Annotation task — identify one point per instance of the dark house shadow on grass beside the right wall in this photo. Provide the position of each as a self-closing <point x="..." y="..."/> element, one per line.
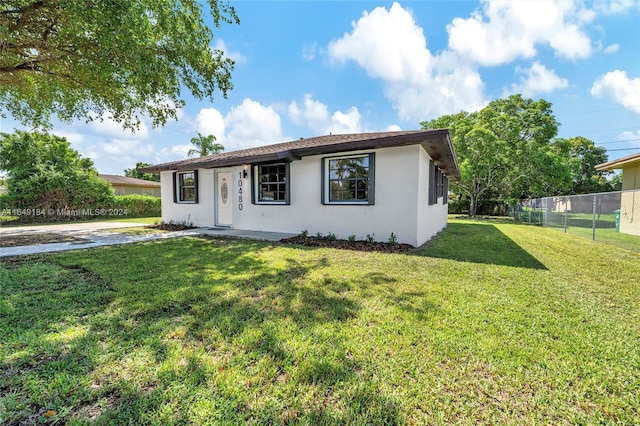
<point x="478" y="243"/>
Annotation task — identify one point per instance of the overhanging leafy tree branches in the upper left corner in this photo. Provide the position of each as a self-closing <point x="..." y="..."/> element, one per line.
<point x="121" y="59"/>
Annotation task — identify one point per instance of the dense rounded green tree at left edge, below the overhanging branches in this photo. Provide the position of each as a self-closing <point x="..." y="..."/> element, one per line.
<point x="45" y="174"/>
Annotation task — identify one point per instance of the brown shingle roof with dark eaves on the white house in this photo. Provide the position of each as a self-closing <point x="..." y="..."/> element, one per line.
<point x="437" y="143"/>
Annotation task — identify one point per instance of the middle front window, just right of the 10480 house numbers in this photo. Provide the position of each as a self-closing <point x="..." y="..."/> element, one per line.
<point x="271" y="183"/>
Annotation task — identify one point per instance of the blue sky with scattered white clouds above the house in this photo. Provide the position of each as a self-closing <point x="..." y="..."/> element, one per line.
<point x="306" y="68"/>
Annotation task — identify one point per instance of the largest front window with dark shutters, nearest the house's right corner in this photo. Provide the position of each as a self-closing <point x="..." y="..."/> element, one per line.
<point x="348" y="179"/>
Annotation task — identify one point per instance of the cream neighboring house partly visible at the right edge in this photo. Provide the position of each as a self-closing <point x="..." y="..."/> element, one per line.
<point x="630" y="200"/>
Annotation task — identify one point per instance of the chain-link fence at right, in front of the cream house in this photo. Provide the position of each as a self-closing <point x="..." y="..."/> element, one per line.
<point x="610" y="217"/>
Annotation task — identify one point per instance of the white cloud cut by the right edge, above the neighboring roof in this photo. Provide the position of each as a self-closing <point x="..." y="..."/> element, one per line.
<point x="617" y="86"/>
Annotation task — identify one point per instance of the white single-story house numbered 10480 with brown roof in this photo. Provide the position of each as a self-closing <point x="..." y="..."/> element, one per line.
<point x="354" y="184"/>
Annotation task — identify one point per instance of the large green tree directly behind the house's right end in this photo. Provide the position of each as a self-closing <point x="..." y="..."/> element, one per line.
<point x="506" y="149"/>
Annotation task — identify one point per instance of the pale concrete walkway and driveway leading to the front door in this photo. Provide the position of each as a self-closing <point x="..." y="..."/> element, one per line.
<point x="98" y="234"/>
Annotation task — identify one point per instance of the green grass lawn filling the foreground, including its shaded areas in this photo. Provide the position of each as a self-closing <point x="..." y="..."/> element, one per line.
<point x="492" y="323"/>
